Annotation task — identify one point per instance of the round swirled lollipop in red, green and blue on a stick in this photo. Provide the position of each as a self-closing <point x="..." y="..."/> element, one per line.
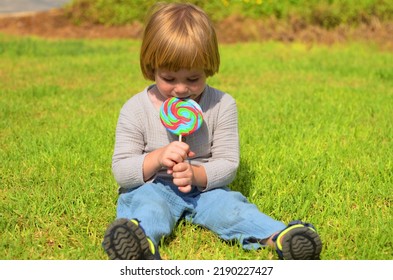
<point x="181" y="116"/>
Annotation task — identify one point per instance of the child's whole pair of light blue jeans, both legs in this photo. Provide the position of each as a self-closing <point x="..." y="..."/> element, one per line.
<point x="159" y="206"/>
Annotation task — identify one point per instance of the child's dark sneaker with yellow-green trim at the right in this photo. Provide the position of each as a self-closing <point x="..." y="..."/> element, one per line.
<point x="298" y="241"/>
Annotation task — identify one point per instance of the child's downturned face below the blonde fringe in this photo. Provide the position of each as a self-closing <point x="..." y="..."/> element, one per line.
<point x="185" y="83"/>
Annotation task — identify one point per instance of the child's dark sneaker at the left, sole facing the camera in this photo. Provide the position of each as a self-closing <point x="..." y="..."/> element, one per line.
<point x="126" y="240"/>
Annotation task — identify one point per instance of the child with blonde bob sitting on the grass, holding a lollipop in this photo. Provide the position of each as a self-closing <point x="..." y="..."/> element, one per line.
<point x="163" y="180"/>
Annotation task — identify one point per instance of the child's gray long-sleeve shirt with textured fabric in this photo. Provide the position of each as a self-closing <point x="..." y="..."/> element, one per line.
<point x="216" y="144"/>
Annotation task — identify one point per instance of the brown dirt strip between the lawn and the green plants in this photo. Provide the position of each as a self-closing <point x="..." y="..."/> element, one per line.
<point x="56" y="24"/>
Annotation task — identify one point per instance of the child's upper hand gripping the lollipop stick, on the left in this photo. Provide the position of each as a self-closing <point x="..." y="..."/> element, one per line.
<point x="174" y="153"/>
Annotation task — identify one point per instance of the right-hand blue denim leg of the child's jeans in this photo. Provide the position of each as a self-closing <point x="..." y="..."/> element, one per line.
<point x="232" y="217"/>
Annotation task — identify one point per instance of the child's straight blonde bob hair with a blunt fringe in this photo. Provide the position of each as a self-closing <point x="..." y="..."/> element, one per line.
<point x="179" y="36"/>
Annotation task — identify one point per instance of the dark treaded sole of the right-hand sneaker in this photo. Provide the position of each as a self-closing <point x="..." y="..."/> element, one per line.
<point x="301" y="243"/>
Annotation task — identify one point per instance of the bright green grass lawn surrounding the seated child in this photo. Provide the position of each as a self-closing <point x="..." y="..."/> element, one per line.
<point x="316" y="143"/>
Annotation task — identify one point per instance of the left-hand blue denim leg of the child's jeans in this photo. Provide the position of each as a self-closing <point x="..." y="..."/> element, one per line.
<point x="154" y="205"/>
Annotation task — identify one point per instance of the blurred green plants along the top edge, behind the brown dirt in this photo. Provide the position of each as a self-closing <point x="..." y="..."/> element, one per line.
<point x="325" y="13"/>
